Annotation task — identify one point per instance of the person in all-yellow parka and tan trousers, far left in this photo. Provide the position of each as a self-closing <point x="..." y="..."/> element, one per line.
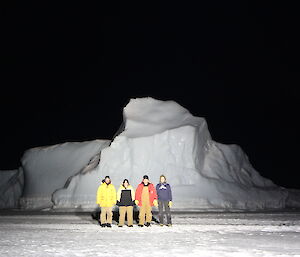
<point x="106" y="199"/>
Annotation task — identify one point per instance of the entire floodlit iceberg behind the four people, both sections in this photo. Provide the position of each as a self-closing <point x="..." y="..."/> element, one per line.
<point x="157" y="137"/>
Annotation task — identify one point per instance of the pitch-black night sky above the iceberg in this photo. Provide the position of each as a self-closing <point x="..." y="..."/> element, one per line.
<point x="67" y="72"/>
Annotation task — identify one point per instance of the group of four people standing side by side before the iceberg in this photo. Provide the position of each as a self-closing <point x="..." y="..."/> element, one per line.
<point x="145" y="196"/>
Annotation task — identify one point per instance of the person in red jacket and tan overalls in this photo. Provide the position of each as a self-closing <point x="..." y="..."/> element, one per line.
<point x="145" y="198"/>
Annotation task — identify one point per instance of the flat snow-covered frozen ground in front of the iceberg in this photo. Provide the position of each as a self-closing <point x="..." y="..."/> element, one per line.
<point x="193" y="234"/>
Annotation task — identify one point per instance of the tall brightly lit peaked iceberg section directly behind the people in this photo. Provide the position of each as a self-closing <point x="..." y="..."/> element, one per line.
<point x="162" y="137"/>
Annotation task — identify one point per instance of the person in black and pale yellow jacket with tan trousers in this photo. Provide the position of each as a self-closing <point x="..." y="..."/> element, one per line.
<point x="125" y="201"/>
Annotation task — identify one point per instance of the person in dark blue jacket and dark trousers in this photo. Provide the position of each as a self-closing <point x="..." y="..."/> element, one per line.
<point x="164" y="194"/>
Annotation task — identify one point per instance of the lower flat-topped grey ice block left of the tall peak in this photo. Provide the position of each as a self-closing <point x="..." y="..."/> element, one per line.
<point x="48" y="169"/>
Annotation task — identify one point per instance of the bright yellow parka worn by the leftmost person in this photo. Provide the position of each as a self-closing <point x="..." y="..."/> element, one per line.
<point x="106" y="195"/>
